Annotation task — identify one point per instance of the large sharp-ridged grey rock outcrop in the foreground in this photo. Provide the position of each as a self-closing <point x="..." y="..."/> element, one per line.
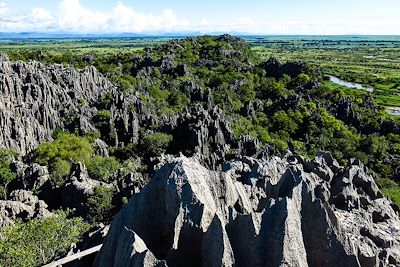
<point x="275" y="212"/>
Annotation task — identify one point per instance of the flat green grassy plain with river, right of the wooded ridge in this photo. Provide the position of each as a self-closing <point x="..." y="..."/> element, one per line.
<point x="373" y="61"/>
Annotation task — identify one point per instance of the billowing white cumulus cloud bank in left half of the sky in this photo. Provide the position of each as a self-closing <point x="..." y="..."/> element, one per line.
<point x="74" y="17"/>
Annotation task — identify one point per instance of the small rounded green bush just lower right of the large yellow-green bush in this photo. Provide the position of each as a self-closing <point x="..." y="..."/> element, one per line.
<point x="101" y="168"/>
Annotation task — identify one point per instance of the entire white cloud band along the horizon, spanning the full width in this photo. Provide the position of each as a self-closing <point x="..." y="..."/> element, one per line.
<point x="72" y="16"/>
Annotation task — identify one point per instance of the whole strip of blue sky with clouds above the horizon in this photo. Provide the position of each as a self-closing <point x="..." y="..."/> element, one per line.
<point x="248" y="16"/>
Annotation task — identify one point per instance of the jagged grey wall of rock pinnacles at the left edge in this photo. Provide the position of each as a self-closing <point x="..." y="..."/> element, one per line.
<point x="35" y="97"/>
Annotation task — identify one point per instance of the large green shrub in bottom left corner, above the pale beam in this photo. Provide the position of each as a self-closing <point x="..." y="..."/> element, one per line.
<point x="38" y="242"/>
